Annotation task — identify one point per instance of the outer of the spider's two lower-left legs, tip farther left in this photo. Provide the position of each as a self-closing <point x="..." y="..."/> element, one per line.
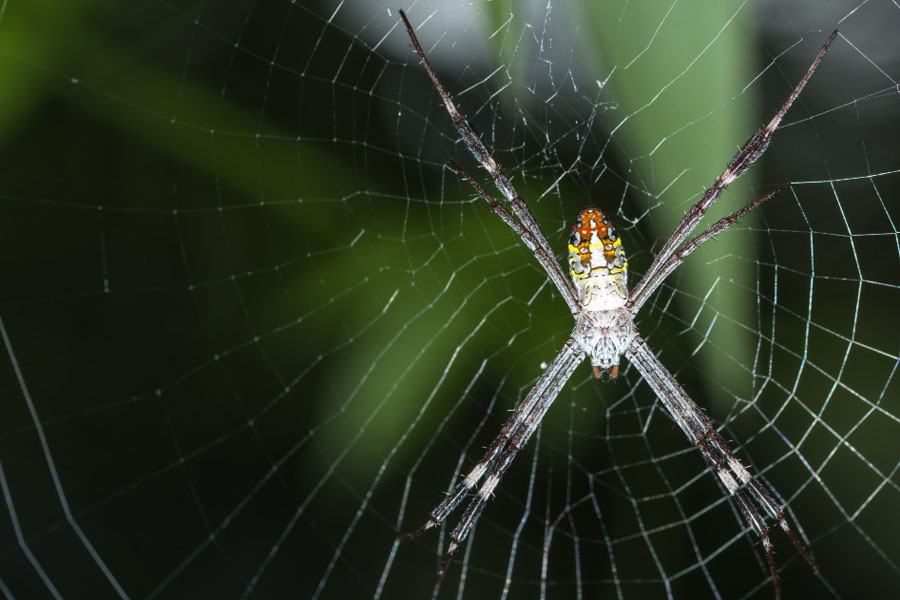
<point x="555" y="374"/>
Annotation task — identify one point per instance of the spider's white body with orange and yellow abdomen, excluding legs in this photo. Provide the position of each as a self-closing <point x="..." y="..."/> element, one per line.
<point x="599" y="270"/>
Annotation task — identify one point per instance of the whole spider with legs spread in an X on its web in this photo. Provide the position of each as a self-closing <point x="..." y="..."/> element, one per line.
<point x="603" y="308"/>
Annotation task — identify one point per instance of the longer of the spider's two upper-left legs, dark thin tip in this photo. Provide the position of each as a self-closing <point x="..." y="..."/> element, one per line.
<point x="481" y="153"/>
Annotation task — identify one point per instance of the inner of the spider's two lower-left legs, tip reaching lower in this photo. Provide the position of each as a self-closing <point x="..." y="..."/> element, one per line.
<point x="571" y="360"/>
